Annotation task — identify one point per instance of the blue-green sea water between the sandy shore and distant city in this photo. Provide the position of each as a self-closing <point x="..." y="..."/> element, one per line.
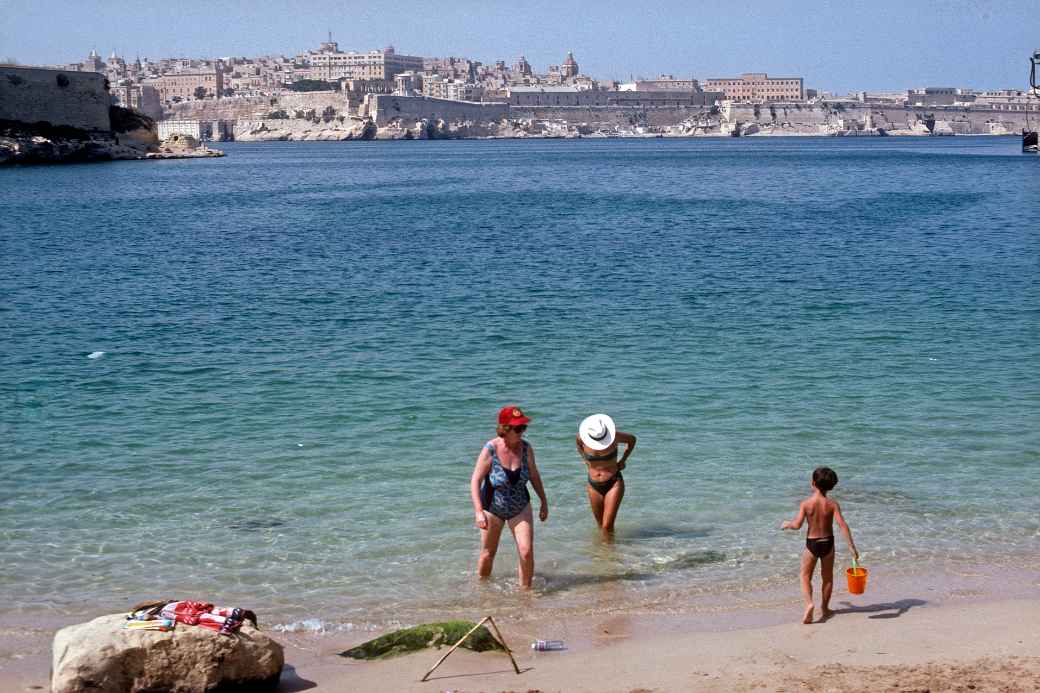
<point x="305" y="346"/>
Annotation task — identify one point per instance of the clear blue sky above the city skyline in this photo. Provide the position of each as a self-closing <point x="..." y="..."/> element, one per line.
<point x="837" y="46"/>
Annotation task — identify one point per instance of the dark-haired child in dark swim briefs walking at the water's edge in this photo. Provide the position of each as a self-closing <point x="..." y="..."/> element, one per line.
<point x="821" y="512"/>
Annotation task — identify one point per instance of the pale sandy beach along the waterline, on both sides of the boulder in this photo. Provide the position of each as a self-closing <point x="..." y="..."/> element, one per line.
<point x="954" y="635"/>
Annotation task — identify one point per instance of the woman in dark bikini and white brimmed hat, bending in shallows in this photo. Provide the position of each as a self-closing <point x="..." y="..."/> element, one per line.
<point x="597" y="443"/>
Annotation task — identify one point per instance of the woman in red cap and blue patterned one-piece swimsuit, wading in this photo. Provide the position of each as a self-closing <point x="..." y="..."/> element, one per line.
<point x="499" y="490"/>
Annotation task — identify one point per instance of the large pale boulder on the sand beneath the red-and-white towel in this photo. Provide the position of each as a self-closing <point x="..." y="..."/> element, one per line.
<point x="102" y="657"/>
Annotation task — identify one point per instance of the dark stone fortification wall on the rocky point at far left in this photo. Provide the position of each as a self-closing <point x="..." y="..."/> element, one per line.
<point x="59" y="97"/>
